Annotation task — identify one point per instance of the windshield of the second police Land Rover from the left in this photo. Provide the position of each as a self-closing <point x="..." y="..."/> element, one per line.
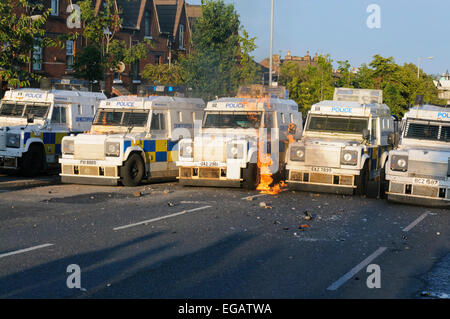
<point x="135" y="118"/>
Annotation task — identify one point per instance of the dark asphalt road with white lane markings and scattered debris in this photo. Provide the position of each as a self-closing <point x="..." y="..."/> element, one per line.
<point x="181" y="242"/>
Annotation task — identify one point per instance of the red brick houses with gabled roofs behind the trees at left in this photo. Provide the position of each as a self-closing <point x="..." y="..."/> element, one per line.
<point x="167" y="23"/>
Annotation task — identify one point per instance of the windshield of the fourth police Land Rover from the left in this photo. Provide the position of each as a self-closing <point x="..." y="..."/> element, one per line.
<point x="337" y="124"/>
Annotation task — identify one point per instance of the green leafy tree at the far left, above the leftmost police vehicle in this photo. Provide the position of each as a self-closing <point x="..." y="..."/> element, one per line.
<point x="22" y="29"/>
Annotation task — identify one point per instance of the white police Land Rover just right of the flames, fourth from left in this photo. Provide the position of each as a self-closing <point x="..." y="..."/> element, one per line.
<point x="344" y="144"/>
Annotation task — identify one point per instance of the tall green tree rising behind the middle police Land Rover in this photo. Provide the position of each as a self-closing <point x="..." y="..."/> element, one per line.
<point x="220" y="61"/>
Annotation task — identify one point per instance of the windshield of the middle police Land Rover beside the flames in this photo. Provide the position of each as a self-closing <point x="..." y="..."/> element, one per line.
<point x="232" y="120"/>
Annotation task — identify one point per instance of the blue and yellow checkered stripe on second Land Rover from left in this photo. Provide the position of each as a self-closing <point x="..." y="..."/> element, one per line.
<point x="156" y="151"/>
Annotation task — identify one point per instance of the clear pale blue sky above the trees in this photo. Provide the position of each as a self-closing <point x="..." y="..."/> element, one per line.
<point x="409" y="29"/>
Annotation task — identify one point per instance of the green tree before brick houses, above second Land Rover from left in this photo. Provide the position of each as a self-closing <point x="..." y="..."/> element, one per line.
<point x="100" y="30"/>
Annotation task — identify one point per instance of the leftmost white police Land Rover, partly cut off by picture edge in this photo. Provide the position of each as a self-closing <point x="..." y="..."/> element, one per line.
<point x="33" y="123"/>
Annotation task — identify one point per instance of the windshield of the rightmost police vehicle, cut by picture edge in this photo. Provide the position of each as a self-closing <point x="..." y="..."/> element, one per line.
<point x="434" y="131"/>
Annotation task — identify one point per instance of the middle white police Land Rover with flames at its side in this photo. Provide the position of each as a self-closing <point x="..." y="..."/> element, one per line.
<point x="225" y="152"/>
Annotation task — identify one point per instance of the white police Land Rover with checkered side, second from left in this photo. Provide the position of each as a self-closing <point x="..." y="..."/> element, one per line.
<point x="132" y="138"/>
